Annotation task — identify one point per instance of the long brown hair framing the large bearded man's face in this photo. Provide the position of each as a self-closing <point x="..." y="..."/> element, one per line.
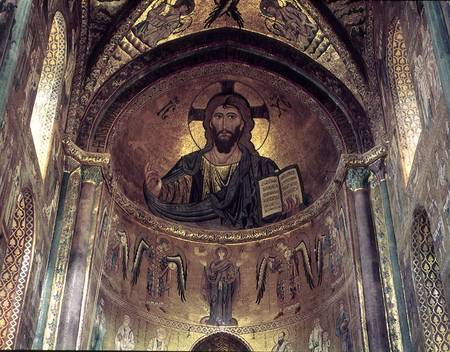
<point x="242" y="105"/>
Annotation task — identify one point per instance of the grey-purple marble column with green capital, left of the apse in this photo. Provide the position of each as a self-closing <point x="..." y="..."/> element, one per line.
<point x="71" y="308"/>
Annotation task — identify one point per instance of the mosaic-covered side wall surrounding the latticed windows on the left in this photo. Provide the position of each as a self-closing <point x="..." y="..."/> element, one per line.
<point x="18" y="157"/>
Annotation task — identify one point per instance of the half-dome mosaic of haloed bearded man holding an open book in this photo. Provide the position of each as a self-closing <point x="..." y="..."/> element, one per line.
<point x="228" y="156"/>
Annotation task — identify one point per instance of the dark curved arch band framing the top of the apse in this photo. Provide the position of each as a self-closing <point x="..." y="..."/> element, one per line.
<point x="218" y="46"/>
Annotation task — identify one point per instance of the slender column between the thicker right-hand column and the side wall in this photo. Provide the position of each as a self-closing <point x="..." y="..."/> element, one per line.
<point x="378" y="168"/>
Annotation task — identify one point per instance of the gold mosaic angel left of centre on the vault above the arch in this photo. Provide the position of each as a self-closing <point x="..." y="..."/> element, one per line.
<point x="165" y="18"/>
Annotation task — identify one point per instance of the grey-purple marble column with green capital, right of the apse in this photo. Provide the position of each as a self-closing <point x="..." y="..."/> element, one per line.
<point x="357" y="182"/>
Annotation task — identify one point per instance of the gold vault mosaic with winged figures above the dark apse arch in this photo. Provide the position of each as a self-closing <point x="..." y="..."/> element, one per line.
<point x="286" y="20"/>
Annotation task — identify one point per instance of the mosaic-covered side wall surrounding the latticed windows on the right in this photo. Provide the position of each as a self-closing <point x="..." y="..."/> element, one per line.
<point x="428" y="184"/>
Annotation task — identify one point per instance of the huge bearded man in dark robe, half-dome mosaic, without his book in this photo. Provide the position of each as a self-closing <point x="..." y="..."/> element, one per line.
<point x="220" y="181"/>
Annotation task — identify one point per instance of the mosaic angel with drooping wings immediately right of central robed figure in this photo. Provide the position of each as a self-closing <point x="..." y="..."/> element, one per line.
<point x="285" y="262"/>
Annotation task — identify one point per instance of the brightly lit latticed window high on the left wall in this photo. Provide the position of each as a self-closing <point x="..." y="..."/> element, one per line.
<point x="49" y="90"/>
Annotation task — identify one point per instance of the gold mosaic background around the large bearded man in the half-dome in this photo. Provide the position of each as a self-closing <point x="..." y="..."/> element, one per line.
<point x="297" y="123"/>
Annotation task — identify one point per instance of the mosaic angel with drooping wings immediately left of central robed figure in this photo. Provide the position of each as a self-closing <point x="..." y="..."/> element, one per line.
<point x="161" y="263"/>
